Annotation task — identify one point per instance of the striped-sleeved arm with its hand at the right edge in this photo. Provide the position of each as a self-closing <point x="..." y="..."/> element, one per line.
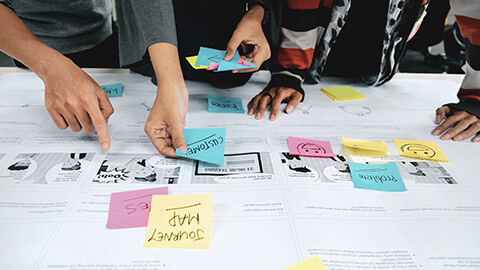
<point x="462" y="120"/>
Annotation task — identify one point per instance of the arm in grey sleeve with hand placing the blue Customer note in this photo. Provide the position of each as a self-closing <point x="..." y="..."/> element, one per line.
<point x="147" y="30"/>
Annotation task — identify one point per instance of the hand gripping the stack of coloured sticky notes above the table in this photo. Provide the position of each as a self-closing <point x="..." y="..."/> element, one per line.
<point x="249" y="34"/>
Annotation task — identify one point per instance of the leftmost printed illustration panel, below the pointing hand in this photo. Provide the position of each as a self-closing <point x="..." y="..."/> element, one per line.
<point x="46" y="168"/>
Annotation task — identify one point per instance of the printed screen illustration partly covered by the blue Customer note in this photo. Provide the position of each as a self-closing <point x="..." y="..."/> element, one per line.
<point x="239" y="168"/>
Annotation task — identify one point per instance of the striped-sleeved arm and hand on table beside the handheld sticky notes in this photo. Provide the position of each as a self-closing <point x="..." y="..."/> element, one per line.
<point x="300" y="31"/>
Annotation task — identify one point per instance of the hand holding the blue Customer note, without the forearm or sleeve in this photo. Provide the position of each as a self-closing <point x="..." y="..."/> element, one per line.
<point x="166" y="121"/>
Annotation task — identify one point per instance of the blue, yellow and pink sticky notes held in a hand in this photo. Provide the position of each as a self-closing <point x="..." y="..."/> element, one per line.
<point x="212" y="59"/>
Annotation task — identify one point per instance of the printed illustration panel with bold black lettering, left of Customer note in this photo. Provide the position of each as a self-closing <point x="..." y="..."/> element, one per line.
<point x="141" y="168"/>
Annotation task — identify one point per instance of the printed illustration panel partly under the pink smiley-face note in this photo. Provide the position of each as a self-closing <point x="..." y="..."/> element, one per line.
<point x="314" y="169"/>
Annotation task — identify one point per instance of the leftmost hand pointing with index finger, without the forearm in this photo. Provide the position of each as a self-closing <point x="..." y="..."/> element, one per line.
<point x="73" y="99"/>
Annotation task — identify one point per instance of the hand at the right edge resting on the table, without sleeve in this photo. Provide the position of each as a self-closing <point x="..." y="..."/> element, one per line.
<point x="462" y="124"/>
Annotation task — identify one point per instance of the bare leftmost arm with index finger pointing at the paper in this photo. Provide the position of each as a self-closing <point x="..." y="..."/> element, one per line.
<point x="73" y="99"/>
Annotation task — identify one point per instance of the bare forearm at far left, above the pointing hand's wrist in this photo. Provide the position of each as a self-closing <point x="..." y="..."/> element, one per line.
<point x="19" y="42"/>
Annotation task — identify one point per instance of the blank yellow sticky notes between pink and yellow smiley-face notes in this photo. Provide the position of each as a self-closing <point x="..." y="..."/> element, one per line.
<point x="364" y="147"/>
